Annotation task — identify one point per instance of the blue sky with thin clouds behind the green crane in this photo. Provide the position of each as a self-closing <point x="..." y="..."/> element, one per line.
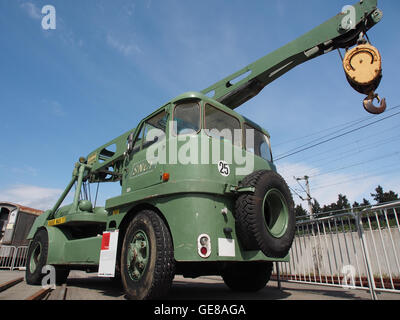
<point x="108" y="64"/>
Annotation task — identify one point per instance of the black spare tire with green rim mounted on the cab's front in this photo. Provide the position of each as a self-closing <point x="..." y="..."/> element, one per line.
<point x="265" y="220"/>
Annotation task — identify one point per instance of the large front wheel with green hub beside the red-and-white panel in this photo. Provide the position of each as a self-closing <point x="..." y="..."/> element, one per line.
<point x="147" y="258"/>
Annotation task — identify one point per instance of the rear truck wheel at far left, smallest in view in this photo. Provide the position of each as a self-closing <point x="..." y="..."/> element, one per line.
<point x="36" y="258"/>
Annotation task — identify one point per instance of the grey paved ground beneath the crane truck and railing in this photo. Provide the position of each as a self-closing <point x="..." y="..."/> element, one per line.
<point x="83" y="286"/>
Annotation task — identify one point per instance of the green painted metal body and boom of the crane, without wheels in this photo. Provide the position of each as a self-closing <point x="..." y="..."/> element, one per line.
<point x="196" y="199"/>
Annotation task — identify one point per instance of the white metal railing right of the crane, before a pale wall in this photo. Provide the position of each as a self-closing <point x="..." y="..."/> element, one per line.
<point x="359" y="249"/>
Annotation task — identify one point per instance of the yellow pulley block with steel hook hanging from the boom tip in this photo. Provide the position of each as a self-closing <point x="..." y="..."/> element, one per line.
<point x="363" y="69"/>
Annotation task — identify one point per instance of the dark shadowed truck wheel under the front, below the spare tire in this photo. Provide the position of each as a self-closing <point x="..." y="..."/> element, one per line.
<point x="247" y="277"/>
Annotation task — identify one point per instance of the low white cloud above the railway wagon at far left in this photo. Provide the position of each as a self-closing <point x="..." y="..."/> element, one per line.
<point x="31" y="196"/>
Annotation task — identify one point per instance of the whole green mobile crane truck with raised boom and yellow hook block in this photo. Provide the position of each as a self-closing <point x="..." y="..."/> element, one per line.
<point x="200" y="192"/>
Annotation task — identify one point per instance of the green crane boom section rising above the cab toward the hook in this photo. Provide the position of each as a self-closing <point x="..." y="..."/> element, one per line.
<point x="245" y="84"/>
